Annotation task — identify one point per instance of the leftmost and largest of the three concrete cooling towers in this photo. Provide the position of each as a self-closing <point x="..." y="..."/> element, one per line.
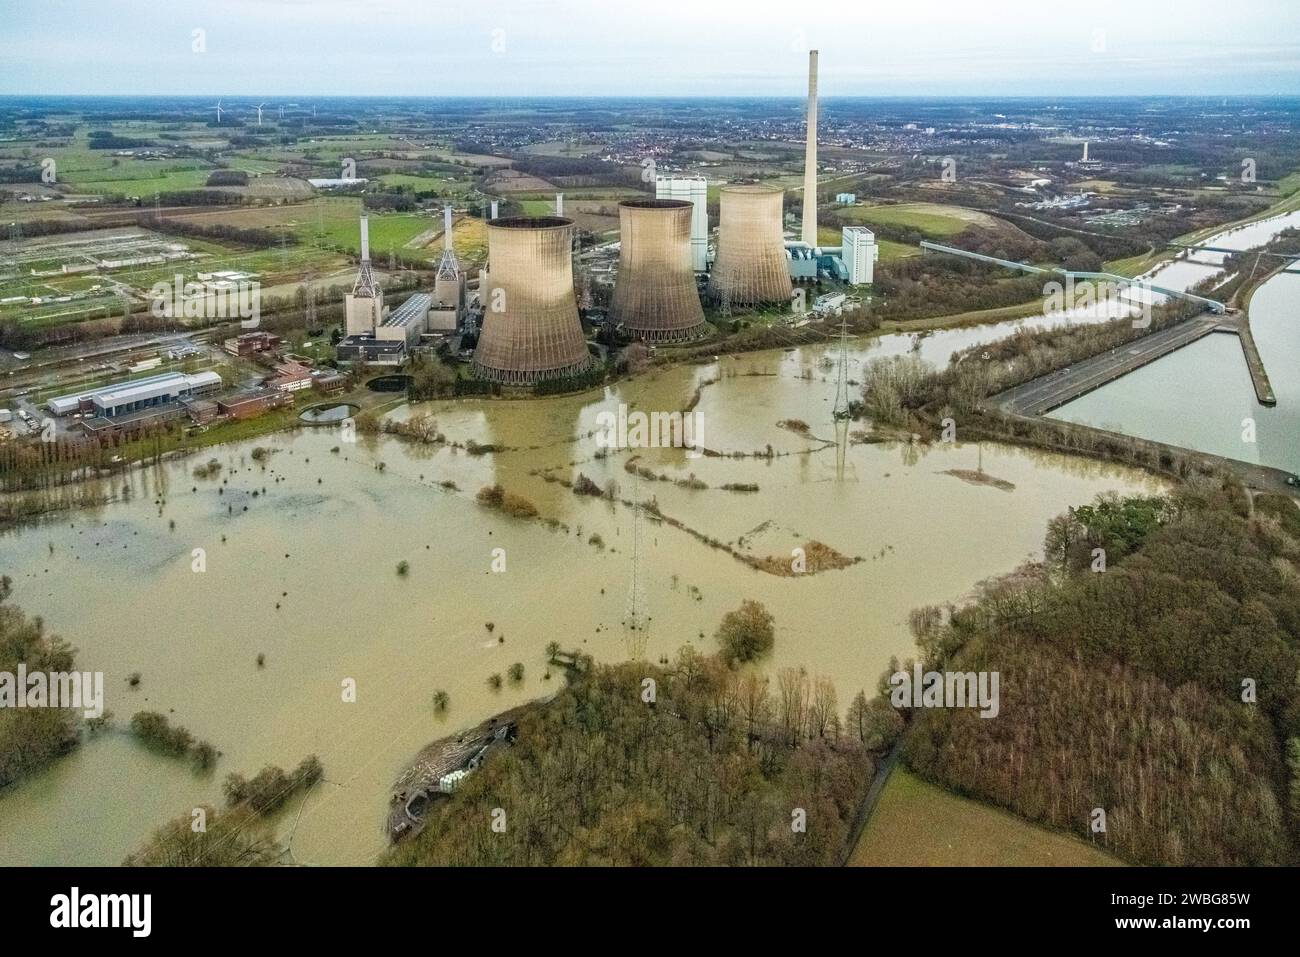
<point x="531" y="330"/>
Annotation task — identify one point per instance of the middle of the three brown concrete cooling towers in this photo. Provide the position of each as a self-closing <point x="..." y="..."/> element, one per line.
<point x="656" y="297"/>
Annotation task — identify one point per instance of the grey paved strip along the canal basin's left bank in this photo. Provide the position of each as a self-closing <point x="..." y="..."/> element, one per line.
<point x="1056" y="389"/>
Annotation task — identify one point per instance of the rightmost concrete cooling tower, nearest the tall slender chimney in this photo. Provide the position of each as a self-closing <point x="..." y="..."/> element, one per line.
<point x="752" y="266"/>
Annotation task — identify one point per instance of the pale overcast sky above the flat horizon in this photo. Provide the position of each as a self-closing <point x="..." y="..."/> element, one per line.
<point x="648" y="47"/>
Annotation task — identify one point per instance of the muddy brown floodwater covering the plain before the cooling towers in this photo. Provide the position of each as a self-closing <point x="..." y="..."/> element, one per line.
<point x="324" y="542"/>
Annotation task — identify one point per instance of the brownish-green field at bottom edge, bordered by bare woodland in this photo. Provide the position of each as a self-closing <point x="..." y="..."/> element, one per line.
<point x="920" y="825"/>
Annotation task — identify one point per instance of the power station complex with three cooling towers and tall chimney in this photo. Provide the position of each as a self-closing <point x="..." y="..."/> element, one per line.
<point x="531" y="330"/>
